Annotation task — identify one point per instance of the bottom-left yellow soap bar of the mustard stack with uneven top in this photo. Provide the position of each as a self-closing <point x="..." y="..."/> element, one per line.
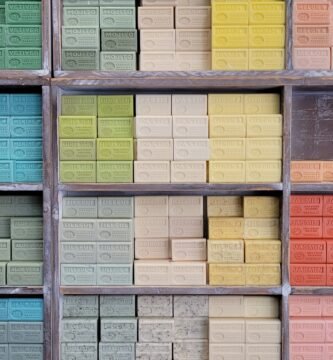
<point x="226" y="274"/>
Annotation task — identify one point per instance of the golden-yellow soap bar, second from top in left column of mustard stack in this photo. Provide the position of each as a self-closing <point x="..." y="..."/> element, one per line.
<point x="225" y="228"/>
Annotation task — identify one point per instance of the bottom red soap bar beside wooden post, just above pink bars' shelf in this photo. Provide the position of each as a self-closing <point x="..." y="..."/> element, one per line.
<point x="308" y="274"/>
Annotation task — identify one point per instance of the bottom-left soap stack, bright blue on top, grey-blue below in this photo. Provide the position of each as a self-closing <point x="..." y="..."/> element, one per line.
<point x="21" y="328"/>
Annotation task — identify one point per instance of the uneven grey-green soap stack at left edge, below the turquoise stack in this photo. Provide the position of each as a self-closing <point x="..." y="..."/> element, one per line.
<point x="21" y="244"/>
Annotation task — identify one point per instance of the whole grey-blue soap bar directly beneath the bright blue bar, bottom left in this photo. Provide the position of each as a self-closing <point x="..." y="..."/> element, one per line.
<point x="25" y="332"/>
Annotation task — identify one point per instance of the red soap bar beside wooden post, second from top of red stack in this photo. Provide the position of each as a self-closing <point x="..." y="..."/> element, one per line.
<point x="306" y="227"/>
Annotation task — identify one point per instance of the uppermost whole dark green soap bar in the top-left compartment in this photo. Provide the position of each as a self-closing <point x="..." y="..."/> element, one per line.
<point x="23" y="12"/>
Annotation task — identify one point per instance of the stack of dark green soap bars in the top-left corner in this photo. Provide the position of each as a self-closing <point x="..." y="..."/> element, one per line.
<point x="20" y="35"/>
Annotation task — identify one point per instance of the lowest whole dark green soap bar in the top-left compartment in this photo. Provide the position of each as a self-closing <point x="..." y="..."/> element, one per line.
<point x="23" y="58"/>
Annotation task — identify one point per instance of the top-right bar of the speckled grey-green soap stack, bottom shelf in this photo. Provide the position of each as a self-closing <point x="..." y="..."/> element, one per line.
<point x="117" y="305"/>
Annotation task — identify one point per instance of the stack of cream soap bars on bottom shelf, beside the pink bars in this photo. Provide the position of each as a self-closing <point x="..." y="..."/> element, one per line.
<point x="244" y="327"/>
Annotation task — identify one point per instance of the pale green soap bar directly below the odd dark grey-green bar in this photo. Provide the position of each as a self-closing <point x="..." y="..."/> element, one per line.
<point x="118" y="61"/>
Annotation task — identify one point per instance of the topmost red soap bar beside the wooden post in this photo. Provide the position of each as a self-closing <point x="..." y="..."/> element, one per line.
<point x="306" y="205"/>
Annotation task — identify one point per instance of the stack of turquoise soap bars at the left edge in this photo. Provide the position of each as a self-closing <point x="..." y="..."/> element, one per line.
<point x="21" y="137"/>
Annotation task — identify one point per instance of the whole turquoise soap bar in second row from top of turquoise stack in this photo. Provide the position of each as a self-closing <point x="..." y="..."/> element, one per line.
<point x="25" y="126"/>
